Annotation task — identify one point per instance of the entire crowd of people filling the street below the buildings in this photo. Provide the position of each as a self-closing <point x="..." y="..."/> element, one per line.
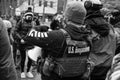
<point x="81" y="43"/>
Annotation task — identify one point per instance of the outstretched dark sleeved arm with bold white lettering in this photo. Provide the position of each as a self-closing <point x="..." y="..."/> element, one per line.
<point x="52" y="39"/>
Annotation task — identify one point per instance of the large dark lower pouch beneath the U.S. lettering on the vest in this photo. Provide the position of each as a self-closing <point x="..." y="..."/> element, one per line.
<point x="71" y="67"/>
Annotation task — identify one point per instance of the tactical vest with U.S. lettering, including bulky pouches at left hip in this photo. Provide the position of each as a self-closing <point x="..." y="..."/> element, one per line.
<point x="74" y="62"/>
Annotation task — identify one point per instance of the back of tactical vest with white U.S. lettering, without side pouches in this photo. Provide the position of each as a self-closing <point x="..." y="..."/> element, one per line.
<point x="74" y="60"/>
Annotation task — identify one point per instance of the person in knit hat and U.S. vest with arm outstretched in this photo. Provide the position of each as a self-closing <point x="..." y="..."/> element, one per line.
<point x="64" y="42"/>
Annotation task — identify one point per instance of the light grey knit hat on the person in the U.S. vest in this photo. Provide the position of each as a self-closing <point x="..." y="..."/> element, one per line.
<point x="75" y="12"/>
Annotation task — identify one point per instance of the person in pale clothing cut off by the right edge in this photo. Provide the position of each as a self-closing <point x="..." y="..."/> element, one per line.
<point x="114" y="71"/>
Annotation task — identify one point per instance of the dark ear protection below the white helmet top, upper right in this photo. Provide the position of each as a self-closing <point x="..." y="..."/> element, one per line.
<point x="90" y="5"/>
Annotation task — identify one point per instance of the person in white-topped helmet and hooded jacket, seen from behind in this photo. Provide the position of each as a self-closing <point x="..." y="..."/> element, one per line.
<point x="104" y="46"/>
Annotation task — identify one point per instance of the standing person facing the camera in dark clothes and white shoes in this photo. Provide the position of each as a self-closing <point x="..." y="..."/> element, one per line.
<point x="21" y="30"/>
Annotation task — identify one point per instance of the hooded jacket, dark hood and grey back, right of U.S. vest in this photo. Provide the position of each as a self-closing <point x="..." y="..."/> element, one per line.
<point x="103" y="49"/>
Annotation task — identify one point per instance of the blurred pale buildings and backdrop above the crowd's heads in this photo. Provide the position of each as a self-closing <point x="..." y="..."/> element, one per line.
<point x="45" y="9"/>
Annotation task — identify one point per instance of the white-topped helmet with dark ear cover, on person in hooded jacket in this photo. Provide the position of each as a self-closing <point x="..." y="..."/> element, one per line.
<point x="93" y="4"/>
